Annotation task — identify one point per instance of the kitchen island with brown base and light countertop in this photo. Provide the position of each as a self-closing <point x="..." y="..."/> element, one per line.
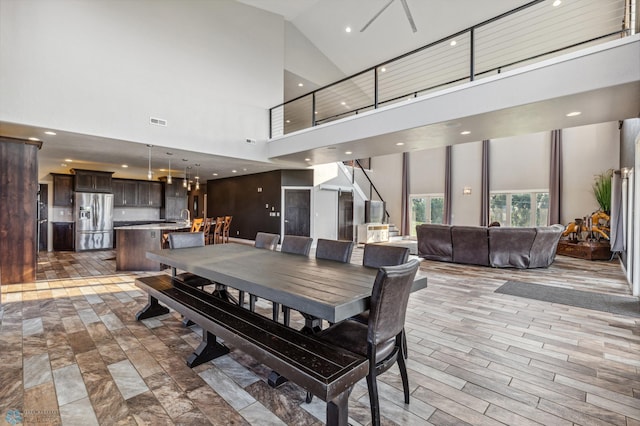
<point x="133" y="242"/>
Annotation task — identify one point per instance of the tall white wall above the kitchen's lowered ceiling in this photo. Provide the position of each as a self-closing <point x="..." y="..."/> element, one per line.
<point x="211" y="69"/>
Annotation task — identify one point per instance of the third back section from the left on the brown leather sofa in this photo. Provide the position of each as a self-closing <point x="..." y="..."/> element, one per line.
<point x="510" y="247"/>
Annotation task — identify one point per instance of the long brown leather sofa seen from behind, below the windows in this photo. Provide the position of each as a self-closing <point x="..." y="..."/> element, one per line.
<point x="498" y="247"/>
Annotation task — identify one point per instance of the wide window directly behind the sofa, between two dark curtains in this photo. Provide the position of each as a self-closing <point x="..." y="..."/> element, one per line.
<point x="519" y="209"/>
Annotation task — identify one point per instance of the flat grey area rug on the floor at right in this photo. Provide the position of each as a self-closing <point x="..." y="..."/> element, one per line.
<point x="621" y="305"/>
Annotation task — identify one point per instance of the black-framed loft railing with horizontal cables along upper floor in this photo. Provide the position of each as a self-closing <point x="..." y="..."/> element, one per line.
<point x="535" y="31"/>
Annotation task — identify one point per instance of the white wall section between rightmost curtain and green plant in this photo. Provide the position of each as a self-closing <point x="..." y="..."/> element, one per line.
<point x="586" y="152"/>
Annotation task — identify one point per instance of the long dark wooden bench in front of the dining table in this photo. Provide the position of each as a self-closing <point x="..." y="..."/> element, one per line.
<point x="324" y="370"/>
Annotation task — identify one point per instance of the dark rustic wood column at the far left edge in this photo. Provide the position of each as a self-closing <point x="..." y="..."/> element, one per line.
<point x="18" y="210"/>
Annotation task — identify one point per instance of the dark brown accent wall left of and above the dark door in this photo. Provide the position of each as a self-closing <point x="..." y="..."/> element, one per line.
<point x="246" y="199"/>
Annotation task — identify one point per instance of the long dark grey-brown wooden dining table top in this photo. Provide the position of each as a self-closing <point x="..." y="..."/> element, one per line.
<point x="320" y="288"/>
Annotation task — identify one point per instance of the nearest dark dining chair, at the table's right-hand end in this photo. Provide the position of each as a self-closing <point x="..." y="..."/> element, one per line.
<point x="380" y="340"/>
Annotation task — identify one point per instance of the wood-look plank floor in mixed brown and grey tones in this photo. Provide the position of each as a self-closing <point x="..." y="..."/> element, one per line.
<point x="72" y="353"/>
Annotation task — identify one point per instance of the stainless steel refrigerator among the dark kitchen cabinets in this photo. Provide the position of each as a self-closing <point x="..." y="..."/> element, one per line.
<point x="93" y="214"/>
